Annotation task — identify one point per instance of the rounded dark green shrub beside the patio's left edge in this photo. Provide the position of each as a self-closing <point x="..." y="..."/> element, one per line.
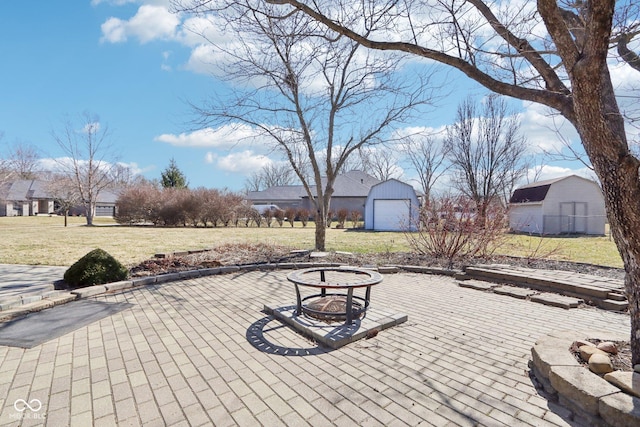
<point x="95" y="268"/>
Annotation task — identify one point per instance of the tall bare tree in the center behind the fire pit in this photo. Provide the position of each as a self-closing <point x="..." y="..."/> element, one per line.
<point x="306" y="87"/>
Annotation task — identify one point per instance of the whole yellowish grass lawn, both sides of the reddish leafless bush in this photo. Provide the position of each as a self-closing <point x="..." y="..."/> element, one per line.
<point x="44" y="240"/>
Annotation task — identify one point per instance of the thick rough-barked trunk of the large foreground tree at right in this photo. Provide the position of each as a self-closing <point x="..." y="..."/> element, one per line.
<point x="601" y="128"/>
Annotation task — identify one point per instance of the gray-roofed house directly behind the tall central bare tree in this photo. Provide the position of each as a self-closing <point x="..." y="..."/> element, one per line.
<point x="350" y="192"/>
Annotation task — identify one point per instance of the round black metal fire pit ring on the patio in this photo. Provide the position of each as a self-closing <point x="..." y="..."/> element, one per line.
<point x="315" y="302"/>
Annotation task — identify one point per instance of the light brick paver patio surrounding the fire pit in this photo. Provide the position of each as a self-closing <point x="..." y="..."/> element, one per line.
<point x="200" y="352"/>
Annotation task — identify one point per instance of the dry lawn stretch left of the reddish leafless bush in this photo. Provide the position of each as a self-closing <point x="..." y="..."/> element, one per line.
<point x="45" y="240"/>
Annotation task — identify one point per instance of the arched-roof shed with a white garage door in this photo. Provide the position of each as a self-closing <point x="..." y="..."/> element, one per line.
<point x="391" y="206"/>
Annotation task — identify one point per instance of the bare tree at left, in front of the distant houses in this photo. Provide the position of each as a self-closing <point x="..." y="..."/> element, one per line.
<point x="88" y="161"/>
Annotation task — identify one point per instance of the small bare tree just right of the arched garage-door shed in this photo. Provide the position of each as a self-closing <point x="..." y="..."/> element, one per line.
<point x="427" y="156"/>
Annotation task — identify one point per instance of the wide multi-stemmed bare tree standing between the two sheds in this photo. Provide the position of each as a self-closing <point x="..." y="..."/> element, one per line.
<point x="486" y="151"/>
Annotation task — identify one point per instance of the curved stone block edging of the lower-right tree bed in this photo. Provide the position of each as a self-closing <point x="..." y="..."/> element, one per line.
<point x="591" y="398"/>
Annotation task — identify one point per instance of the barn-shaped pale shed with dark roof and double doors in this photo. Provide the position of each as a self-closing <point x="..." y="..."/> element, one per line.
<point x="567" y="205"/>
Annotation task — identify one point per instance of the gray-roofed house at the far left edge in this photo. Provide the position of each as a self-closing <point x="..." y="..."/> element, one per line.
<point x="25" y="197"/>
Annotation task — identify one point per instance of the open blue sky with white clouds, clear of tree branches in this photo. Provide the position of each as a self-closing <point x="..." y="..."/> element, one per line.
<point x="134" y="65"/>
